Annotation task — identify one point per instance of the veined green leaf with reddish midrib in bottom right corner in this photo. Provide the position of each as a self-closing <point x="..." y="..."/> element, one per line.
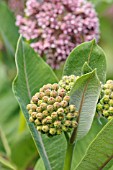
<point x="100" y="151"/>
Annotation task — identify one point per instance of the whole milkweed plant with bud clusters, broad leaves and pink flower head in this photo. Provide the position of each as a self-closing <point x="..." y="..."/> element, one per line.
<point x="63" y="115"/>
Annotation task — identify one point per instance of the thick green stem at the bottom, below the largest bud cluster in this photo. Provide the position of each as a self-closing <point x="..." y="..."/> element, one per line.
<point x="69" y="155"/>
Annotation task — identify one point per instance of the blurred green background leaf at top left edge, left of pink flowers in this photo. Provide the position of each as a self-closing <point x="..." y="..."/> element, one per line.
<point x="8" y="30"/>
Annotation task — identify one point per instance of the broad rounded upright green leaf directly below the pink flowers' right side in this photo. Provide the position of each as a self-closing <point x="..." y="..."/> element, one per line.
<point x="88" y="52"/>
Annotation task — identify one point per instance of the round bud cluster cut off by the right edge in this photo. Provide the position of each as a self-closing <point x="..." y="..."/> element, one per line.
<point x="105" y="103"/>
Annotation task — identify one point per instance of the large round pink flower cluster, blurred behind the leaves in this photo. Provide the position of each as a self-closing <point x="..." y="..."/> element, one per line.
<point x="55" y="27"/>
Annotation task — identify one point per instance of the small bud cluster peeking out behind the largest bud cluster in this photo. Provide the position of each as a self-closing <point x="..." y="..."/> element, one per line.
<point x="67" y="82"/>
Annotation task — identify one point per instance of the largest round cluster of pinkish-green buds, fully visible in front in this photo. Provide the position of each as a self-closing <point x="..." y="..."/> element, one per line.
<point x="50" y="111"/>
